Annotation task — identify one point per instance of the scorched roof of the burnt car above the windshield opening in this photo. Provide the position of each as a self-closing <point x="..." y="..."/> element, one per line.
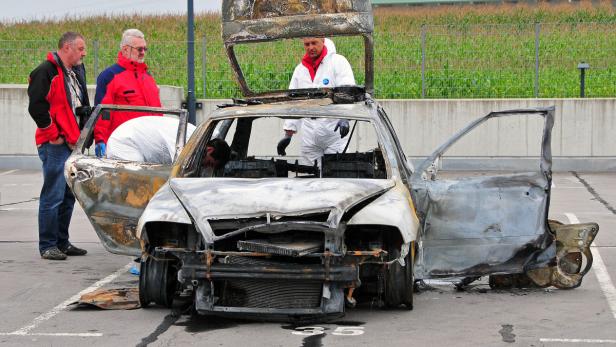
<point x="322" y="107"/>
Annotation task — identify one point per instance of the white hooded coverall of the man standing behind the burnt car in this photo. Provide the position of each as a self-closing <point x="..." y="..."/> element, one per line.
<point x="318" y="135"/>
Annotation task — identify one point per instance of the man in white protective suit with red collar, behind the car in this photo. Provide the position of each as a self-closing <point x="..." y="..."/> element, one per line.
<point x="321" y="67"/>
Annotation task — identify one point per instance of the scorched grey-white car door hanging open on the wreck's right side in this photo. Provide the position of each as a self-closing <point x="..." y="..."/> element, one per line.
<point x="483" y="224"/>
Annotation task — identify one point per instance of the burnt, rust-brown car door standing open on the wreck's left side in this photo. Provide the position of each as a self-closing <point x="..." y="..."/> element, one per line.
<point x="114" y="193"/>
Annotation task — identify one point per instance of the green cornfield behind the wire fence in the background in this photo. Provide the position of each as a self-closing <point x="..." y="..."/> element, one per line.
<point x="470" y="51"/>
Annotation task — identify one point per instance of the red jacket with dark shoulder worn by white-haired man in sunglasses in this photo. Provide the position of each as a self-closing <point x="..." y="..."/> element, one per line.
<point x="125" y="83"/>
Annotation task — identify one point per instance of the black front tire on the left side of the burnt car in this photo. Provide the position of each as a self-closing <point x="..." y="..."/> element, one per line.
<point x="157" y="282"/>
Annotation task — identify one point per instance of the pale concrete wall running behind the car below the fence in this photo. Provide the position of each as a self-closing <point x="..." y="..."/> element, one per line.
<point x="583" y="137"/>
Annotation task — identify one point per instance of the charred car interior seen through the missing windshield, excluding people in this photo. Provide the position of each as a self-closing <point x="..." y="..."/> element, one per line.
<point x="253" y="155"/>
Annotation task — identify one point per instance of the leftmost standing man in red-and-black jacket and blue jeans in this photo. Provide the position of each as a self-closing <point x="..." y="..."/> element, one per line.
<point x="58" y="99"/>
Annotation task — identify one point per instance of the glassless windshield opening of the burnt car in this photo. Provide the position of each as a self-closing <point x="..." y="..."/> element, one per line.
<point x="309" y="147"/>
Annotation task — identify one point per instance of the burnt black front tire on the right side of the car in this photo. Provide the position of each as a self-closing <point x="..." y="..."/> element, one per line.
<point x="399" y="282"/>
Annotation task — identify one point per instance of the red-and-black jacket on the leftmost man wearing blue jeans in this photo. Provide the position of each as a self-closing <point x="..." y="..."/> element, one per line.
<point x="50" y="104"/>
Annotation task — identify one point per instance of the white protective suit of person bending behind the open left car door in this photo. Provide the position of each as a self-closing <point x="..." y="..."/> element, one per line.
<point x="147" y="139"/>
